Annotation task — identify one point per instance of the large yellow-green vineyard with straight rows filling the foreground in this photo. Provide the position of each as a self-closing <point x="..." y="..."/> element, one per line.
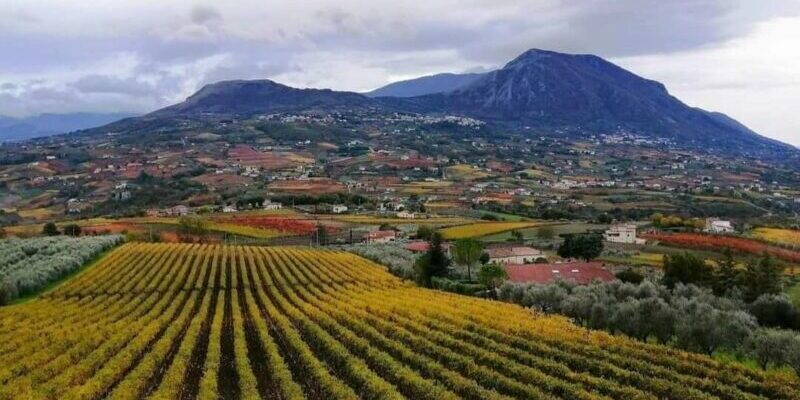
<point x="186" y="321"/>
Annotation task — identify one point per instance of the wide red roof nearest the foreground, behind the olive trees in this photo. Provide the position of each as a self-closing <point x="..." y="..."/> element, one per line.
<point x="581" y="273"/>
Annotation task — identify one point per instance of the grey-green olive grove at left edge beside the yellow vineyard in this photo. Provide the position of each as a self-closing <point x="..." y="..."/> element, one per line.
<point x="28" y="265"/>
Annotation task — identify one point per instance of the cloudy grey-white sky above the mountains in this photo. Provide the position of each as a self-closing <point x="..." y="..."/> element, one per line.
<point x="740" y="57"/>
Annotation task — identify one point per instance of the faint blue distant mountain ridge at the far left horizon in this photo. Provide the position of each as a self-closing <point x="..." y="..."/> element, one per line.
<point x="13" y="129"/>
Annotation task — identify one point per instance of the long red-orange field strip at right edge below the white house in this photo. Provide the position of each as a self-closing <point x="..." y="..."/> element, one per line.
<point x="718" y="243"/>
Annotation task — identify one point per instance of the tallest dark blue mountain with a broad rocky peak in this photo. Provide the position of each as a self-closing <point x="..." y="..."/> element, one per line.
<point x="552" y="91"/>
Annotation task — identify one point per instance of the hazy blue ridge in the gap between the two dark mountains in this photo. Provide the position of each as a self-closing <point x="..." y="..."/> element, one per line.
<point x="439" y="83"/>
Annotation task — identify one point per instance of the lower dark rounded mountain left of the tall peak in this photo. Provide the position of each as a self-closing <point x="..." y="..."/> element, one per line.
<point x="261" y="96"/>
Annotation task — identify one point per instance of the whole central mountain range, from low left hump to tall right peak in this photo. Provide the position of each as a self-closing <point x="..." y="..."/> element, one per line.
<point x="541" y="92"/>
